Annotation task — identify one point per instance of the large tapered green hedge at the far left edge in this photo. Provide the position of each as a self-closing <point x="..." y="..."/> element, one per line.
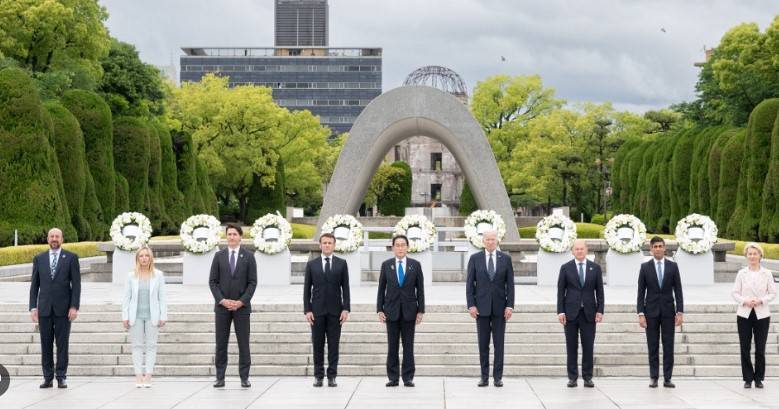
<point x="31" y="183"/>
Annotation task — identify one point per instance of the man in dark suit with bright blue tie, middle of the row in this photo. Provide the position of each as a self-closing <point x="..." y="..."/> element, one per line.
<point x="400" y="304"/>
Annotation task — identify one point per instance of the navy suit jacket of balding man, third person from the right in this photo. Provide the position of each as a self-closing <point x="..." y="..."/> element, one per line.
<point x="571" y="296"/>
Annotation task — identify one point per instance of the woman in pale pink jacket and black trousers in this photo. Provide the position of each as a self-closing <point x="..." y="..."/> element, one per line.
<point x="753" y="290"/>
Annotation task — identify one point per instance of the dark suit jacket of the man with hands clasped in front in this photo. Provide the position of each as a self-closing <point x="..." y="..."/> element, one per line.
<point x="239" y="286"/>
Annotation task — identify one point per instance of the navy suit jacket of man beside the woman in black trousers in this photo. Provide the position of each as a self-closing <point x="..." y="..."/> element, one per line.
<point x="653" y="301"/>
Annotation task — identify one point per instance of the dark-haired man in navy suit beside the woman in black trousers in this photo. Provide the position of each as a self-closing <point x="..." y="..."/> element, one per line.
<point x="659" y="284"/>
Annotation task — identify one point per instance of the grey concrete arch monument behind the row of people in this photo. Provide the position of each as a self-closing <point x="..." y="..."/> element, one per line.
<point x="411" y="111"/>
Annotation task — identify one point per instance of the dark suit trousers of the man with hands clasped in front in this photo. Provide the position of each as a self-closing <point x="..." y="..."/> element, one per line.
<point x="242" y="324"/>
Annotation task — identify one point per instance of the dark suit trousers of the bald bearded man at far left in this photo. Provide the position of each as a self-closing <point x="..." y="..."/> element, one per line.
<point x="54" y="328"/>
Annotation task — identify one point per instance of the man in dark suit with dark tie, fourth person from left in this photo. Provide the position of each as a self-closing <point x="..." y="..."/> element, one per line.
<point x="326" y="304"/>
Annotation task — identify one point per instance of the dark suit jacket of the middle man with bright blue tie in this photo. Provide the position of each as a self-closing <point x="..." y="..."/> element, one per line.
<point x="401" y="302"/>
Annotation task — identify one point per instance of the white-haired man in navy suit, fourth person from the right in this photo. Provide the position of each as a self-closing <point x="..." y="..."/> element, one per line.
<point x="489" y="293"/>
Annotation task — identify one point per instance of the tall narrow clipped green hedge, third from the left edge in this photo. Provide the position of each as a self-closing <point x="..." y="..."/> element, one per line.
<point x="94" y="118"/>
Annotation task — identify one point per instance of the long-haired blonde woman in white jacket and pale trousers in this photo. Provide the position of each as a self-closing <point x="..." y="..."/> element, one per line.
<point x="144" y="312"/>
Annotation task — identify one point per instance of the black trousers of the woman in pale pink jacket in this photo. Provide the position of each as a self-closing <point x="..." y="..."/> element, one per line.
<point x="747" y="327"/>
